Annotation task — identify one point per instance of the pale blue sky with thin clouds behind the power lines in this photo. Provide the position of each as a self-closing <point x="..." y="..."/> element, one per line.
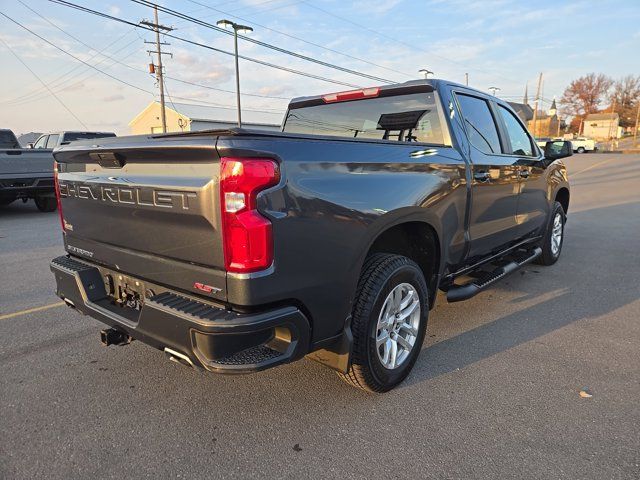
<point x="499" y="43"/>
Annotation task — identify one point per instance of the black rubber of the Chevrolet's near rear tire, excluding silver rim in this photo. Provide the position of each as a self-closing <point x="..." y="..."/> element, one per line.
<point x="380" y="275"/>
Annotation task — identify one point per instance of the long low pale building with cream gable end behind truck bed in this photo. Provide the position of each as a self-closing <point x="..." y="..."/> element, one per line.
<point x="184" y="117"/>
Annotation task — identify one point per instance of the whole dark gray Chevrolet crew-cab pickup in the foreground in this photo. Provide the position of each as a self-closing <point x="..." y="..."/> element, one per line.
<point x="238" y="250"/>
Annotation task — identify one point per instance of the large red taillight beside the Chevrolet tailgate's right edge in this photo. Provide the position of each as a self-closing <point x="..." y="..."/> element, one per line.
<point x="248" y="242"/>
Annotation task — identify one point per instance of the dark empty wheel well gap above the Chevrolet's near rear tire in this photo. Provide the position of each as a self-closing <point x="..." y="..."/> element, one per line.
<point x="417" y="241"/>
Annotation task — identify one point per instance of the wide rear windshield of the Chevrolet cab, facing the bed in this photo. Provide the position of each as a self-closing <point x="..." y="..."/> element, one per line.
<point x="406" y="118"/>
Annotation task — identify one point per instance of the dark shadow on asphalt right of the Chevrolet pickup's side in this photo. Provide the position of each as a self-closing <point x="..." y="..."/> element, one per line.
<point x="573" y="290"/>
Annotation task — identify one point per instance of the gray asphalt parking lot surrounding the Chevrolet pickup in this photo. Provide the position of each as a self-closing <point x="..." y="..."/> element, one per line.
<point x="495" y="393"/>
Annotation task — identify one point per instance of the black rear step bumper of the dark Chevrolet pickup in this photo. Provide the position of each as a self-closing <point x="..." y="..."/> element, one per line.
<point x="211" y="337"/>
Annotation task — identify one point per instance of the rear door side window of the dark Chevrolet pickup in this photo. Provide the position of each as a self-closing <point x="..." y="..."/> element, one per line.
<point x="481" y="127"/>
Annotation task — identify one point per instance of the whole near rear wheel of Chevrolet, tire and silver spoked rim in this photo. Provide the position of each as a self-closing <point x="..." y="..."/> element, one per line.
<point x="388" y="322"/>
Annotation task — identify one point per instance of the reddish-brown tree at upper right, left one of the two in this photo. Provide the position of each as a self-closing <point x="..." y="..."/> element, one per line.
<point x="585" y="94"/>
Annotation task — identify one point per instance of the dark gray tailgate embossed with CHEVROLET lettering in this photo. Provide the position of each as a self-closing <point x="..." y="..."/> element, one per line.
<point x="147" y="207"/>
